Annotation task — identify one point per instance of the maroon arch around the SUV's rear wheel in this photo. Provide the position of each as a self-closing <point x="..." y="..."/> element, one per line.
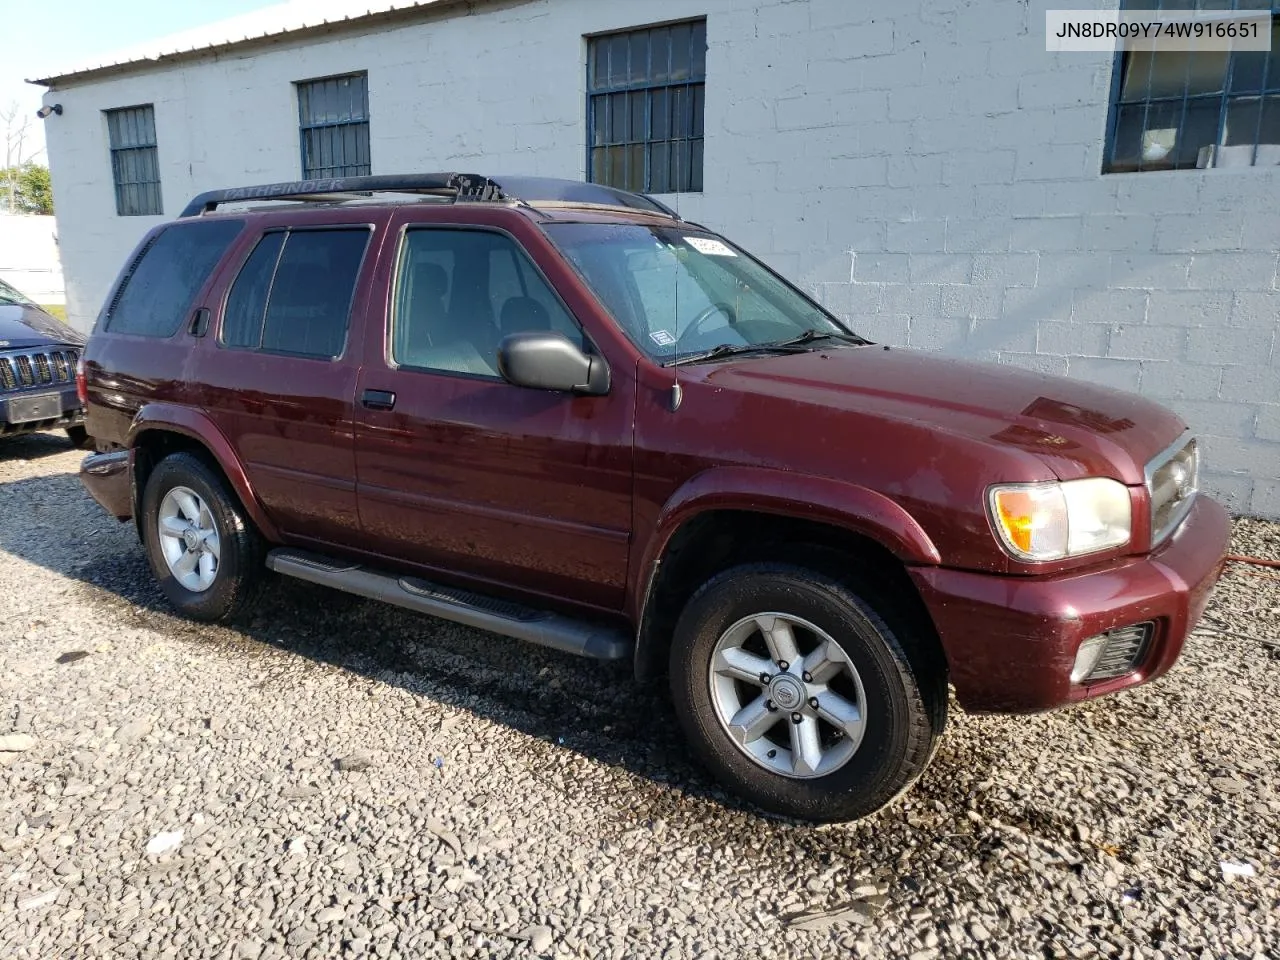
<point x="159" y="431"/>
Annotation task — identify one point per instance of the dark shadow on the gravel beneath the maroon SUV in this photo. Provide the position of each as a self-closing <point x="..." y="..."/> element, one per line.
<point x="593" y="708"/>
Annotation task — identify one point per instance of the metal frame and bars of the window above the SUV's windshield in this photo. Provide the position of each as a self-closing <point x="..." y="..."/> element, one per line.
<point x="593" y="93"/>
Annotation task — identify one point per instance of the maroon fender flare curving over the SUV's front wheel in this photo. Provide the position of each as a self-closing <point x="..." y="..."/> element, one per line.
<point x="781" y="493"/>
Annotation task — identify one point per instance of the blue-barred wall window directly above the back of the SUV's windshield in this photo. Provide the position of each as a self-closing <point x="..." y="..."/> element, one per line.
<point x="646" y="94"/>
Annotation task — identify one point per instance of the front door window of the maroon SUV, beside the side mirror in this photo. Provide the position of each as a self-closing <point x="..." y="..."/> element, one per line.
<point x="460" y="292"/>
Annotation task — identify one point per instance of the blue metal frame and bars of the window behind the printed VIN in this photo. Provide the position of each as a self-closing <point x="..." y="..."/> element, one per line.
<point x="1224" y="98"/>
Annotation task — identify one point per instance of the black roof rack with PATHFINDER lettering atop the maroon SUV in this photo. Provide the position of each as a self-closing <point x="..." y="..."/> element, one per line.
<point x="465" y="188"/>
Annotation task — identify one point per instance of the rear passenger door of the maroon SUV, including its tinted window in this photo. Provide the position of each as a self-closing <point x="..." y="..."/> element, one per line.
<point x="278" y="371"/>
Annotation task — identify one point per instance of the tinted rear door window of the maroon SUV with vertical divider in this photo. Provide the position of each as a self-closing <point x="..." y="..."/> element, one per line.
<point x="294" y="294"/>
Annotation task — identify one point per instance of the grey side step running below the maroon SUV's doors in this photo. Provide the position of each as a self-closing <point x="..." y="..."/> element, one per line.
<point x="537" y="627"/>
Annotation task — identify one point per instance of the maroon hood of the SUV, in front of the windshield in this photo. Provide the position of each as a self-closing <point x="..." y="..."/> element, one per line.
<point x="1078" y="429"/>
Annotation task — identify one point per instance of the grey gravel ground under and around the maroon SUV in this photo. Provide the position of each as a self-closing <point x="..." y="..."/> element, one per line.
<point x="342" y="779"/>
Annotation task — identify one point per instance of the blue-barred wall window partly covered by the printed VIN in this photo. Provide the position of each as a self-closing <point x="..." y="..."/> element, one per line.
<point x="1195" y="111"/>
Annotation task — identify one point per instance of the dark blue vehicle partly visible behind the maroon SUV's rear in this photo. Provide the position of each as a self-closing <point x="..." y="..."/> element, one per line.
<point x="38" y="371"/>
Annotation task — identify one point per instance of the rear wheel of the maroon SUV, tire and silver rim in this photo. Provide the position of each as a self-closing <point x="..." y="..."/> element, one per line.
<point x="204" y="551"/>
